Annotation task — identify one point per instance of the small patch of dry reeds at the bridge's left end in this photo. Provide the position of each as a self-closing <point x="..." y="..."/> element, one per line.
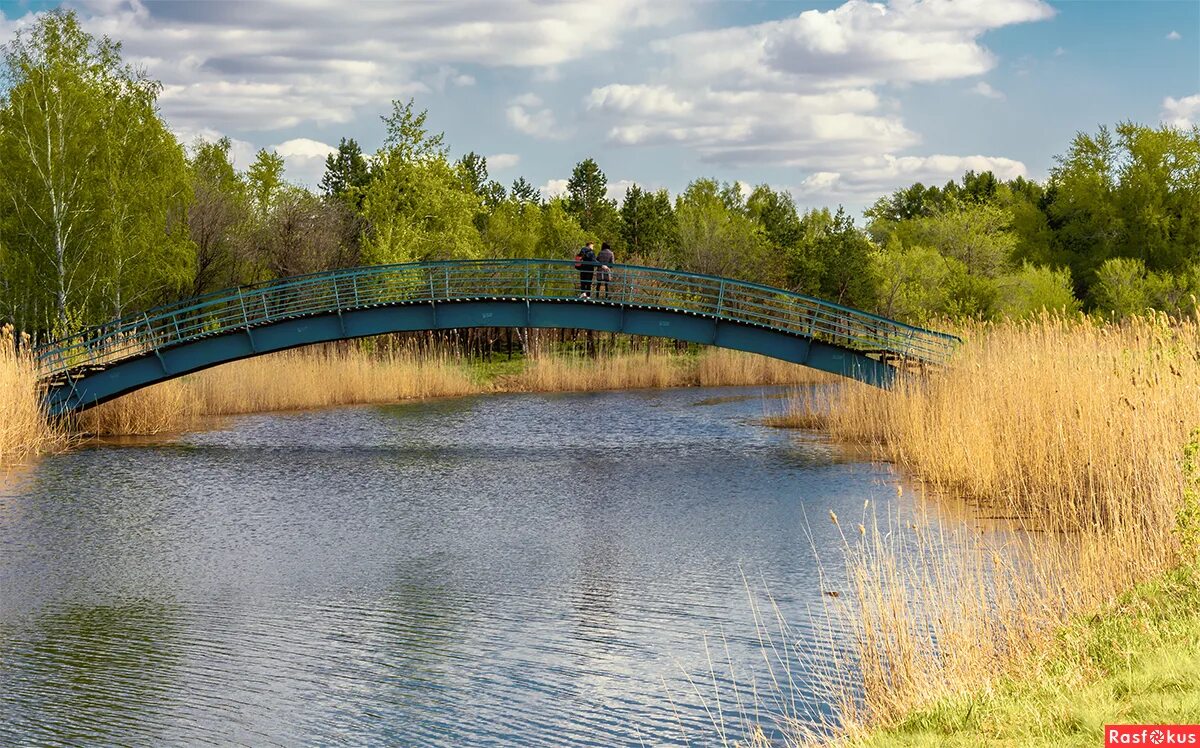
<point x="25" y="429"/>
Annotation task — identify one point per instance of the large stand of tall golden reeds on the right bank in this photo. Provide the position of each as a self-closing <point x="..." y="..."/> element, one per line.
<point x="1072" y="434"/>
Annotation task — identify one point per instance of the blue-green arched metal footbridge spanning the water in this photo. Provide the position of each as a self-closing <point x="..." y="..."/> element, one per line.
<point x="163" y="344"/>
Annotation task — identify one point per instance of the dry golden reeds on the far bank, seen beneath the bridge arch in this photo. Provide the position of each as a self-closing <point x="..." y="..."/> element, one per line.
<point x="352" y="375"/>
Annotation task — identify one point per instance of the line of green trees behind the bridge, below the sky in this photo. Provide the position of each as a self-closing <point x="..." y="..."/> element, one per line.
<point x="104" y="213"/>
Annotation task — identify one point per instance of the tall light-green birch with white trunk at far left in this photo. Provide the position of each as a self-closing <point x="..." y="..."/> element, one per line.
<point x="93" y="187"/>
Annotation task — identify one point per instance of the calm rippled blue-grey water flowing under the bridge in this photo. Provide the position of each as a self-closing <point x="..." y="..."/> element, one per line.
<point x="517" y="570"/>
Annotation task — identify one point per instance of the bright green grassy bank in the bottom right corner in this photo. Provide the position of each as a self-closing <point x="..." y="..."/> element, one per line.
<point x="1138" y="662"/>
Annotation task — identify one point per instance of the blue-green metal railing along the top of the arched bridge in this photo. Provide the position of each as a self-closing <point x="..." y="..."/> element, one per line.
<point x="248" y="307"/>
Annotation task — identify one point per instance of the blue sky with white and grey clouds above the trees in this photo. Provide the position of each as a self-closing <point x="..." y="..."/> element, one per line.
<point x="838" y="103"/>
